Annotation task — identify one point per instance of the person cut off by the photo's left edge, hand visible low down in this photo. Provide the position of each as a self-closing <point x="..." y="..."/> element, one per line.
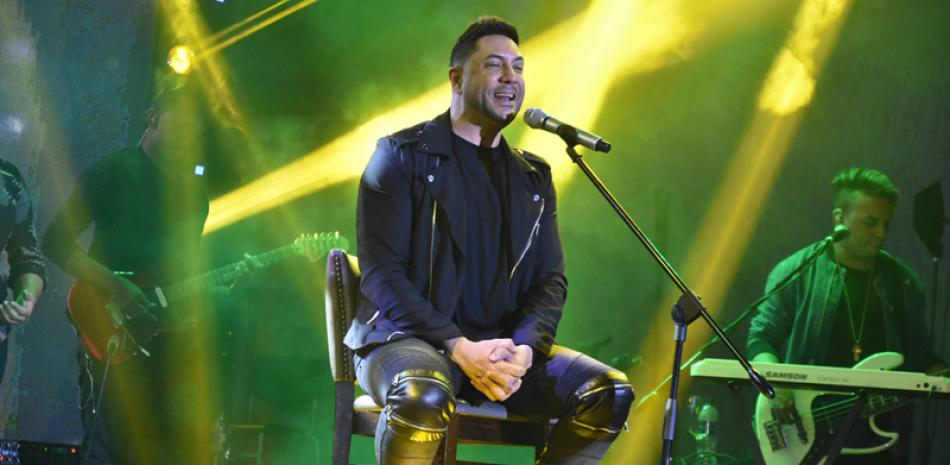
<point x="18" y="239"/>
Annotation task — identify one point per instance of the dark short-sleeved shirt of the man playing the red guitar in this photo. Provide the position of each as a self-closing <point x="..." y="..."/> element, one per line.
<point x="142" y="216"/>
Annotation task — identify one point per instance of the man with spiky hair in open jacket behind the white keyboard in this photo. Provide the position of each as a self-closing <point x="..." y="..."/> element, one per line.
<point x="854" y="301"/>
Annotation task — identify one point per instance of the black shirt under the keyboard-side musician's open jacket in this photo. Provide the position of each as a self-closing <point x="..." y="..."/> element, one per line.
<point x="862" y="295"/>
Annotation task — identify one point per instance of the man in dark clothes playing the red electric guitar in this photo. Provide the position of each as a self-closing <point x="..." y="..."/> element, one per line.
<point x="146" y="207"/>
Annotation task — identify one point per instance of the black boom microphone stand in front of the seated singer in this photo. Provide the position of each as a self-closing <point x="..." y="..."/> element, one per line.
<point x="686" y="310"/>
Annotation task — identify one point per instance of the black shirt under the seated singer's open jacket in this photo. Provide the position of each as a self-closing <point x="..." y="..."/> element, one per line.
<point x="485" y="301"/>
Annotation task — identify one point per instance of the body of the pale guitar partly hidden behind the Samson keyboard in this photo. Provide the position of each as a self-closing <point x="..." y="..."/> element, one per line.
<point x="806" y="442"/>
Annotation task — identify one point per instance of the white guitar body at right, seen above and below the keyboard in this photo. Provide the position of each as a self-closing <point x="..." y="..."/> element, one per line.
<point x="792" y="444"/>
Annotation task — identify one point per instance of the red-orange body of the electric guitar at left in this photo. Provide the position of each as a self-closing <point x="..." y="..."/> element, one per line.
<point x="99" y="321"/>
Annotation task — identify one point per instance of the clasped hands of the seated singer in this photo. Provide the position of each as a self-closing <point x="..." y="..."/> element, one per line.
<point x="495" y="366"/>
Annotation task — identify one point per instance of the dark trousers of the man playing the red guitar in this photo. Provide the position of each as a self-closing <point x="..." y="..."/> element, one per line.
<point x="161" y="408"/>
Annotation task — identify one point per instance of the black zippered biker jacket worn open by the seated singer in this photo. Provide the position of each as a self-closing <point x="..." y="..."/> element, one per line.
<point x="411" y="228"/>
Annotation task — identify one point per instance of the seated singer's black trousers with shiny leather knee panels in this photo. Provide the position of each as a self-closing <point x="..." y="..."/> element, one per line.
<point x="417" y="386"/>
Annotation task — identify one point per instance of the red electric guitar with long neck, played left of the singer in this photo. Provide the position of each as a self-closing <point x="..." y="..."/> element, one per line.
<point x="113" y="334"/>
